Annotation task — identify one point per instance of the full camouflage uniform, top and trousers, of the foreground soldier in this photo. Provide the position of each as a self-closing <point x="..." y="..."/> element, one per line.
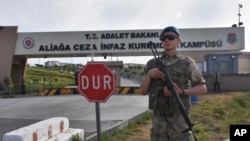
<point x="182" y="70"/>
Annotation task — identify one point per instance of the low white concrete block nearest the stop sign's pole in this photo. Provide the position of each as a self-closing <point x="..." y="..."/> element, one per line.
<point x="67" y="135"/>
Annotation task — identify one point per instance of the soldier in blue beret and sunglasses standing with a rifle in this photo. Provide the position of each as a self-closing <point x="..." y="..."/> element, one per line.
<point x="182" y="69"/>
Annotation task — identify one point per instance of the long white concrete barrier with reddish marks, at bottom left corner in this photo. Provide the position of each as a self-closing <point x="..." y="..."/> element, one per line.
<point x="39" y="131"/>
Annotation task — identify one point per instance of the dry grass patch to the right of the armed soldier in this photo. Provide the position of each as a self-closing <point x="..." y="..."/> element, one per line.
<point x="214" y="114"/>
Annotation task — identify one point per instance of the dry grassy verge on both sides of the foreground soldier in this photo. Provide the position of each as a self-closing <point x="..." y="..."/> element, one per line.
<point x="212" y="117"/>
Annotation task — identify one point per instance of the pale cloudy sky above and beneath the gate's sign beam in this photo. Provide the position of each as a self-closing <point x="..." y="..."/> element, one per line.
<point x="98" y="15"/>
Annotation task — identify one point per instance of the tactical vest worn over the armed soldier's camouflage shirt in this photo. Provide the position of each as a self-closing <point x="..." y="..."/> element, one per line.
<point x="179" y="74"/>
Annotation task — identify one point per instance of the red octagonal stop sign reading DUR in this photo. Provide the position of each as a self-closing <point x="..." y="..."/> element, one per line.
<point x="96" y="82"/>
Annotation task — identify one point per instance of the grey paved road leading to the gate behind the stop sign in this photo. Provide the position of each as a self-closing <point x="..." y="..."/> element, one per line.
<point x="115" y="113"/>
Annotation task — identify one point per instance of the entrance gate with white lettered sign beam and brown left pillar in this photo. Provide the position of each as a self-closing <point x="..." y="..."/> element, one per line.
<point x="16" y="48"/>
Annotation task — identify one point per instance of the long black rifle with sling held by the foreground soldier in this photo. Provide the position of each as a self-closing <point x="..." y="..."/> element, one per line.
<point x="170" y="86"/>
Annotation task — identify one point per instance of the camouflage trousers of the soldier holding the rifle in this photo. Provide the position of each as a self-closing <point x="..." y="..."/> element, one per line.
<point x="161" y="131"/>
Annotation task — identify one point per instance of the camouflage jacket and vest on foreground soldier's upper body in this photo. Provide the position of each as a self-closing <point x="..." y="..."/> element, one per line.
<point x="182" y="70"/>
